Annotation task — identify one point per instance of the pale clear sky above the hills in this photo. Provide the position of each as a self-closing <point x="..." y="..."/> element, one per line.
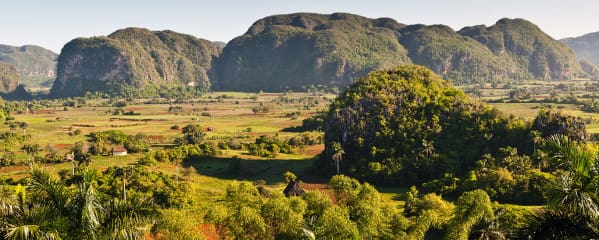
<point x="52" y="23"/>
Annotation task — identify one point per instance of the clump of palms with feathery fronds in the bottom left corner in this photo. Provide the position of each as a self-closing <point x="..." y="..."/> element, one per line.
<point x="47" y="209"/>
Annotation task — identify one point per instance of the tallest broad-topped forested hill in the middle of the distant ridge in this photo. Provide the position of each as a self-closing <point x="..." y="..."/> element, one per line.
<point x="298" y="50"/>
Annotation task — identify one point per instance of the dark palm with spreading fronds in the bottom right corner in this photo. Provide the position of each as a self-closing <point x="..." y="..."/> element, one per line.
<point x="572" y="210"/>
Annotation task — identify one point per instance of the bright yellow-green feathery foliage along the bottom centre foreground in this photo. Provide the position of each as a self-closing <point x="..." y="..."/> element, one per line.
<point x="358" y="213"/>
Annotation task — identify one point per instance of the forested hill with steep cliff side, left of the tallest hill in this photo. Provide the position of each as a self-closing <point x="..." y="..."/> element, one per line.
<point x="134" y="57"/>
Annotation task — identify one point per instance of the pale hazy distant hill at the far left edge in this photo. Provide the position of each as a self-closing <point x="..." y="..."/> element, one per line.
<point x="30" y="60"/>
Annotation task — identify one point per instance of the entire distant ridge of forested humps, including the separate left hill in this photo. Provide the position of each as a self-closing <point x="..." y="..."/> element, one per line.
<point x="295" y="51"/>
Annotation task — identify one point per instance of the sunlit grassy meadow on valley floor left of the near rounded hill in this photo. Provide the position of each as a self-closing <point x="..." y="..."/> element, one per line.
<point x="225" y="114"/>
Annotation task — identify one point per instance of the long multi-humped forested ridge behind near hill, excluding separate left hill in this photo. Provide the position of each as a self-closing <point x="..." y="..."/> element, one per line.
<point x="298" y="50"/>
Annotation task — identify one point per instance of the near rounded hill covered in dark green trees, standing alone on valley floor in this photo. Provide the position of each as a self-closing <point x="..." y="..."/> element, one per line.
<point x="406" y="126"/>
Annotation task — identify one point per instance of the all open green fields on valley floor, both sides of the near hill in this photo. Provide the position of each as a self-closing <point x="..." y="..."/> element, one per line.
<point x="222" y="115"/>
